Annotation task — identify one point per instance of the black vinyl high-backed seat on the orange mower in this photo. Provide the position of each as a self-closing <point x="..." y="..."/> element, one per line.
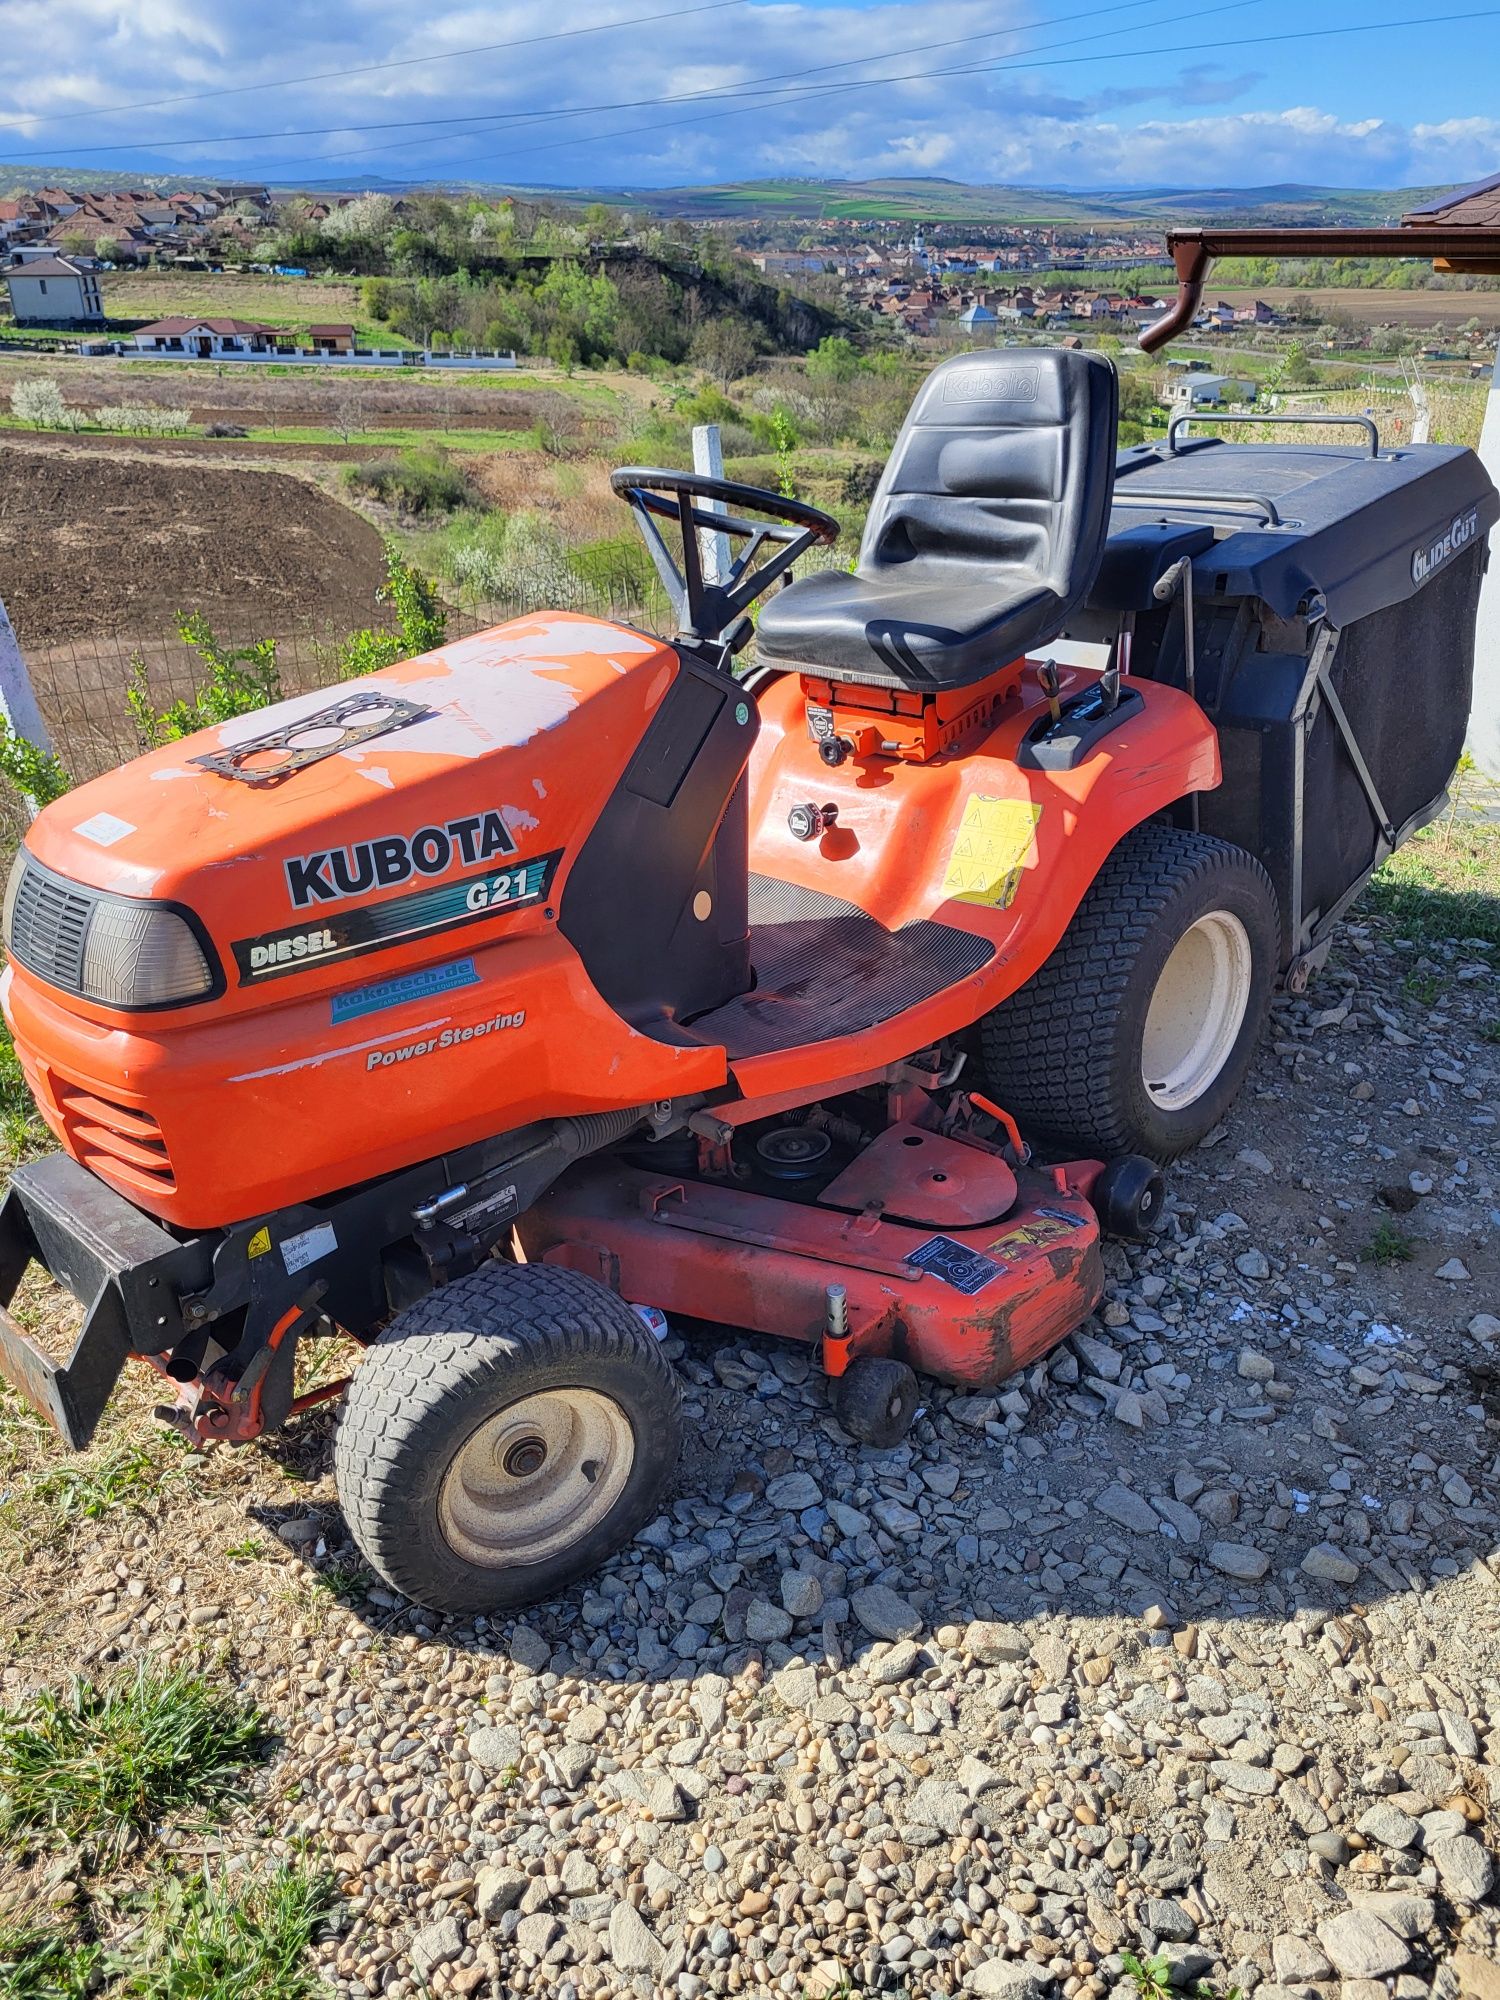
<point x="985" y="533"/>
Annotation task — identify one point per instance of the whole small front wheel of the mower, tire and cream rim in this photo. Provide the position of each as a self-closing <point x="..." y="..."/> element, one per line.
<point x="505" y="1437"/>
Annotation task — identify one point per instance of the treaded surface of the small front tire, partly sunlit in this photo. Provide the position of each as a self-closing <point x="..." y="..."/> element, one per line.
<point x="439" y="1355"/>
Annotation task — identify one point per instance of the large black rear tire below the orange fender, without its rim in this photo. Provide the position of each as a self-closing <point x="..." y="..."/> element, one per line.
<point x="1065" y="1053"/>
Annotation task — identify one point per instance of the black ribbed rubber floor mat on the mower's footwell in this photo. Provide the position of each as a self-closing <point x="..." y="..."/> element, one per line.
<point x="827" y="969"/>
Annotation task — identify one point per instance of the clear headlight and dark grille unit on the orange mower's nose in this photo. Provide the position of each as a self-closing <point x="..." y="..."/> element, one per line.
<point x="107" y="949"/>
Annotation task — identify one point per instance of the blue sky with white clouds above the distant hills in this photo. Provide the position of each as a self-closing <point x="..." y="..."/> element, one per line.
<point x="1047" y="93"/>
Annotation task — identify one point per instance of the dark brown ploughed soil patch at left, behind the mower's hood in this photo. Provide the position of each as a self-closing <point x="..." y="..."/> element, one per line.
<point x="119" y="547"/>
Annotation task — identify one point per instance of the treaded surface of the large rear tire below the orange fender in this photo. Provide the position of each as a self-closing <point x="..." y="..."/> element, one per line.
<point x="1043" y="1049"/>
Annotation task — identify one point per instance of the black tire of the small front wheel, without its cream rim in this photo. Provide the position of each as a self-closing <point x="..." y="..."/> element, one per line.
<point x="455" y="1361"/>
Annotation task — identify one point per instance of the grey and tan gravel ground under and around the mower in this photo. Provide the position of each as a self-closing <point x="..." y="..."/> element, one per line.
<point x="1185" y="1641"/>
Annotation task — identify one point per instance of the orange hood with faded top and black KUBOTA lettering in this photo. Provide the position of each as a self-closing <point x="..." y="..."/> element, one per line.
<point x="443" y="791"/>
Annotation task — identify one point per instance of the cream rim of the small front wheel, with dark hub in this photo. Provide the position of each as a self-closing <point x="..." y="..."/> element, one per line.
<point x="537" y="1479"/>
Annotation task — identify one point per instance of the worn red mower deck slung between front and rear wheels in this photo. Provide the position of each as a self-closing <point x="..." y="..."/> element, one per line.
<point x="967" y="1303"/>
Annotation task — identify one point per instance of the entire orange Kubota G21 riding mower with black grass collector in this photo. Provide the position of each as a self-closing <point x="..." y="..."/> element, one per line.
<point x="561" y="973"/>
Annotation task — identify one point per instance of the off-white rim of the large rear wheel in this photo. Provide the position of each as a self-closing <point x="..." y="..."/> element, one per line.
<point x="1197" y="1011"/>
